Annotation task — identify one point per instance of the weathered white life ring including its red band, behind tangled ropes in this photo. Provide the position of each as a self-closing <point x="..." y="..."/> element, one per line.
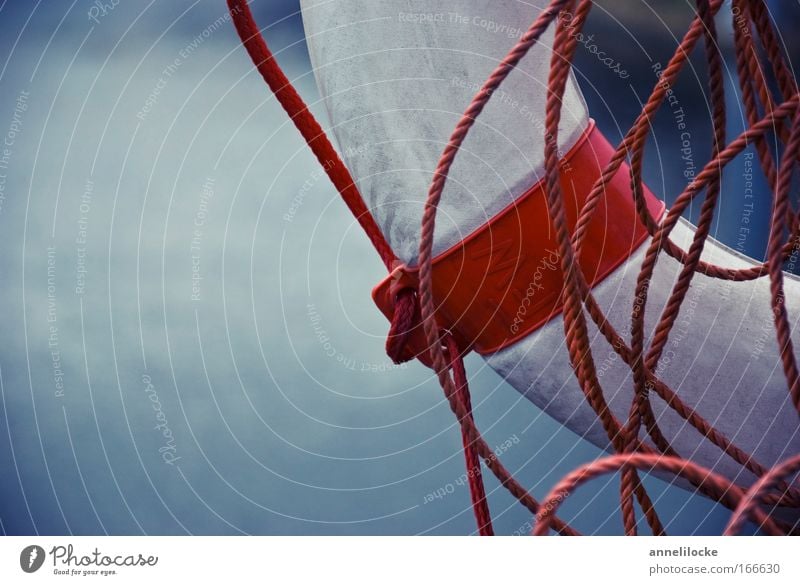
<point x="395" y="83"/>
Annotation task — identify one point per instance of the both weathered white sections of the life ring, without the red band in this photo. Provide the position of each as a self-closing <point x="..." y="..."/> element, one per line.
<point x="395" y="88"/>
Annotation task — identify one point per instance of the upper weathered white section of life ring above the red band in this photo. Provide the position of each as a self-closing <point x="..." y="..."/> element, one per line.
<point x="396" y="77"/>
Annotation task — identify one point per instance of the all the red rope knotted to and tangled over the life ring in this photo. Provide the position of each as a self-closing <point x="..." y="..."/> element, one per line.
<point x="413" y="306"/>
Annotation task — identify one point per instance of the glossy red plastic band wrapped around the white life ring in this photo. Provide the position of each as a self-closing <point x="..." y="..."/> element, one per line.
<point x="504" y="280"/>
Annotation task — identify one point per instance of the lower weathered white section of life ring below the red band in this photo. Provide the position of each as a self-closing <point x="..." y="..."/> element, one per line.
<point x="721" y="358"/>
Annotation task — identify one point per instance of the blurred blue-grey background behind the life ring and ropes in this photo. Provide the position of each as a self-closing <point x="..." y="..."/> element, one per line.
<point x="188" y="343"/>
